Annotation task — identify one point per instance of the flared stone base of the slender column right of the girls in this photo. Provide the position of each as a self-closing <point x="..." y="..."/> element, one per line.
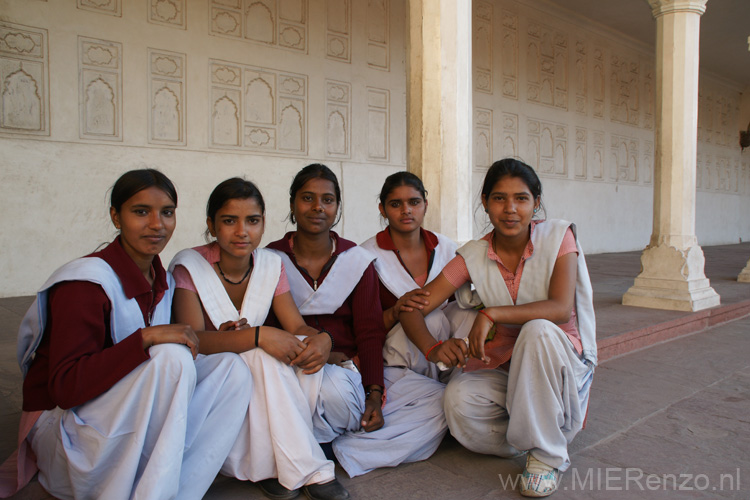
<point x="672" y="279"/>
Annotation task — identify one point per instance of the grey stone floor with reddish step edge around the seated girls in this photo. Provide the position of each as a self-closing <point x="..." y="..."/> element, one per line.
<point x="666" y="420"/>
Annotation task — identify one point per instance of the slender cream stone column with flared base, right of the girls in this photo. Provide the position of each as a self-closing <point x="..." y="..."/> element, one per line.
<point x="672" y="275"/>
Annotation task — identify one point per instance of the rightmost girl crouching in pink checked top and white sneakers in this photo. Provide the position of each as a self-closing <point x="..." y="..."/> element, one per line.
<point x="526" y="390"/>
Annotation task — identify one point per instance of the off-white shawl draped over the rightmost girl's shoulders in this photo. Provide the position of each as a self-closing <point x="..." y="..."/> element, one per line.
<point x="537" y="272"/>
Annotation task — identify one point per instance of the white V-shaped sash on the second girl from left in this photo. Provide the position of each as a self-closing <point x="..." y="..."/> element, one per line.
<point x="216" y="302"/>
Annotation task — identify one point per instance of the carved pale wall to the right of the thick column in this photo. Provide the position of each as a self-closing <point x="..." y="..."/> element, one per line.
<point x="577" y="102"/>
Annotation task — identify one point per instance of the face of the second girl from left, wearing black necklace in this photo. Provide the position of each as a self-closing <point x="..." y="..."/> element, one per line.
<point x="238" y="227"/>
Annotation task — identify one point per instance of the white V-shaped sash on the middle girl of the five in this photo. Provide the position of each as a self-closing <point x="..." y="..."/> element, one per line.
<point x="345" y="273"/>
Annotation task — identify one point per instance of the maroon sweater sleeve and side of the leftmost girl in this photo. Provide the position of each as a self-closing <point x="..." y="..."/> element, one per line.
<point x="81" y="362"/>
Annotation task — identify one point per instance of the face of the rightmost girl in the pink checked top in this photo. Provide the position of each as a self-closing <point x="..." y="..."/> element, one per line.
<point x="510" y="206"/>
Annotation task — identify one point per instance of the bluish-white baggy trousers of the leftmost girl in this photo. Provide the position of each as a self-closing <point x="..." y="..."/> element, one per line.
<point x="162" y="432"/>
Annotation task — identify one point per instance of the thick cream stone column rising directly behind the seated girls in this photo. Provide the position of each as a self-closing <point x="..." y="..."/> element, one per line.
<point x="439" y="110"/>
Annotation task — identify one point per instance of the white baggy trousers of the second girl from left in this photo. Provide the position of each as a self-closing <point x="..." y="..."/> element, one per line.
<point x="277" y="438"/>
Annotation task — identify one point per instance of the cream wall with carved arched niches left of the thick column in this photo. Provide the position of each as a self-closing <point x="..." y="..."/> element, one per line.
<point x="202" y="90"/>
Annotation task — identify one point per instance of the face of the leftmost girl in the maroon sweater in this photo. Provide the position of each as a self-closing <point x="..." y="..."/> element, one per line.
<point x="146" y="222"/>
